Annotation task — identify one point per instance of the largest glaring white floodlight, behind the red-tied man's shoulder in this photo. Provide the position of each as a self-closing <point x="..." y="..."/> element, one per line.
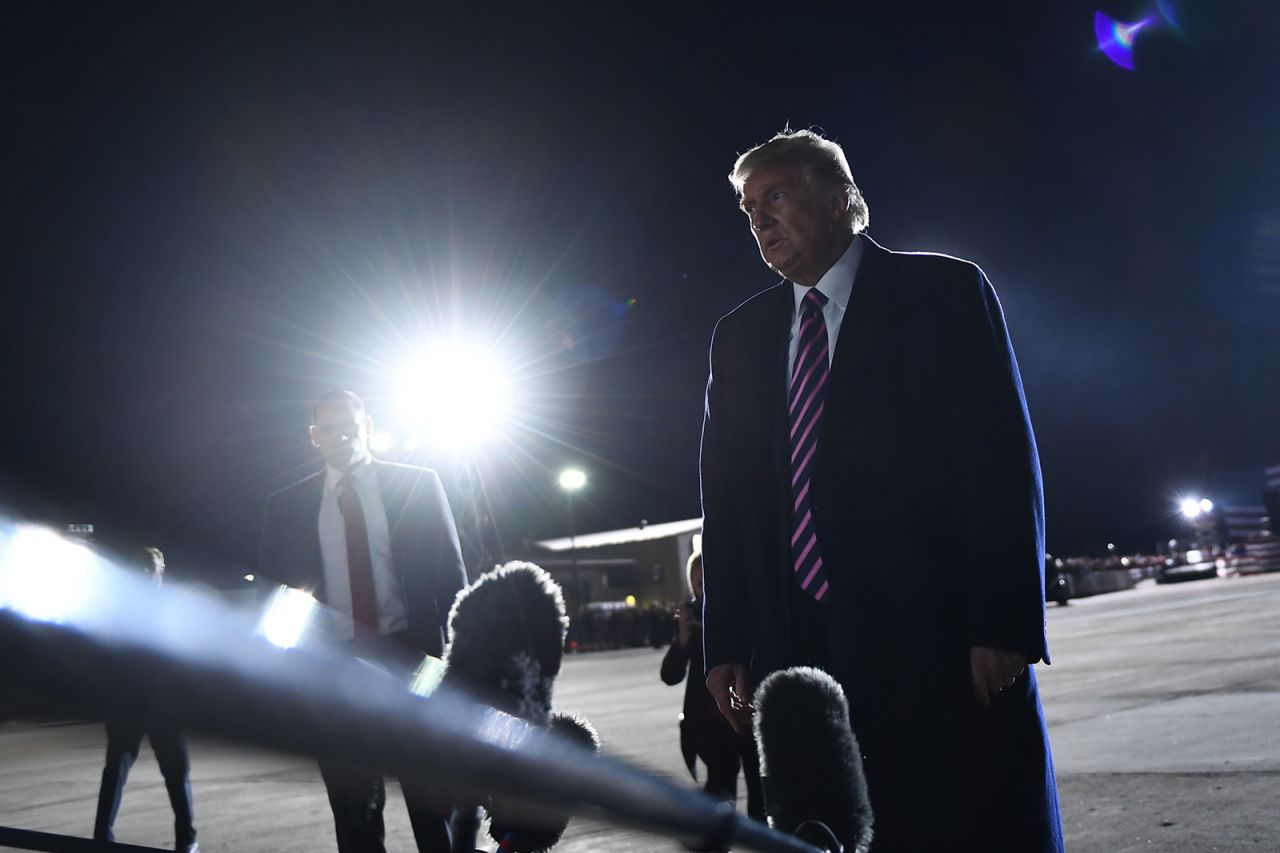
<point x="454" y="395"/>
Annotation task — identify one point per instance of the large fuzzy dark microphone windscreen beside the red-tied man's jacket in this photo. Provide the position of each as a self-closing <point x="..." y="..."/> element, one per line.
<point x="508" y="640"/>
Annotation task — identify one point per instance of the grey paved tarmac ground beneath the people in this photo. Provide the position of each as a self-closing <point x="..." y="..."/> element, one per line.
<point x="1164" y="709"/>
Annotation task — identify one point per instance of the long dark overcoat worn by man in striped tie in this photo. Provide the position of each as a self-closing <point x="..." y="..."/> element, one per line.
<point x="927" y="499"/>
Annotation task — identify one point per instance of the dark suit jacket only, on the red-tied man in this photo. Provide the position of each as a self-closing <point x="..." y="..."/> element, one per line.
<point x="424" y="541"/>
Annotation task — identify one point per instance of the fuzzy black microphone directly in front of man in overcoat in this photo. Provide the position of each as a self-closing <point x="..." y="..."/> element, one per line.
<point x="811" y="765"/>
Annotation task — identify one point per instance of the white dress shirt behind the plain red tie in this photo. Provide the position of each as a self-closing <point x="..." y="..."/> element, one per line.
<point x="333" y="550"/>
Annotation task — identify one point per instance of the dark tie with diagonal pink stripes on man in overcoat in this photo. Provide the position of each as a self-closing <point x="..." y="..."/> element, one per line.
<point x="806" y="404"/>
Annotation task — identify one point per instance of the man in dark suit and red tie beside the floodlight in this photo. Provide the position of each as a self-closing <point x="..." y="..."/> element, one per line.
<point x="374" y="541"/>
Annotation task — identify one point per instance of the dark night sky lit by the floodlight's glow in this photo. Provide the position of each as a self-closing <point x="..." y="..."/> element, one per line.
<point x="217" y="212"/>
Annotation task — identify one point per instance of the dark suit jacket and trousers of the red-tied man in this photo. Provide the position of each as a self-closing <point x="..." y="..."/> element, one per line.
<point x="428" y="564"/>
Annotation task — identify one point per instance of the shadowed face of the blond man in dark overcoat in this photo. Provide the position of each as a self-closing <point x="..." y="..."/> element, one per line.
<point x="799" y="230"/>
